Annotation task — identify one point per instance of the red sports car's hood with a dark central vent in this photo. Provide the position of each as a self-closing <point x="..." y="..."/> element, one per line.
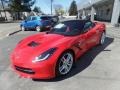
<point x="37" y="44"/>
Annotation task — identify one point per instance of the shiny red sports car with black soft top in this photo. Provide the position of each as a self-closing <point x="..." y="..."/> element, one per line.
<point x="50" y="54"/>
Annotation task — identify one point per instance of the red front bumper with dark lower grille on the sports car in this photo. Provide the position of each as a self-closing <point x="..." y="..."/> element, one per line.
<point x="41" y="70"/>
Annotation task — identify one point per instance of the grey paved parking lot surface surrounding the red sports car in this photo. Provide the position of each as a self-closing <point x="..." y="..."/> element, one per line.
<point x="98" y="69"/>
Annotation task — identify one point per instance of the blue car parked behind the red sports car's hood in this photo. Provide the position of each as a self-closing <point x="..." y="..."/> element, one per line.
<point x="37" y="23"/>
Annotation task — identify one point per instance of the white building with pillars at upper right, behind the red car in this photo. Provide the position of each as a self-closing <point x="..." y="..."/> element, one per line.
<point x="105" y="10"/>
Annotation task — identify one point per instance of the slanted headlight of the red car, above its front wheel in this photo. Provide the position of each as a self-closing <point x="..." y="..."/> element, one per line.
<point x="45" y="55"/>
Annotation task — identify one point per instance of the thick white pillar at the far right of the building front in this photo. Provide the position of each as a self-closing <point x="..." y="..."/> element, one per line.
<point x="116" y="12"/>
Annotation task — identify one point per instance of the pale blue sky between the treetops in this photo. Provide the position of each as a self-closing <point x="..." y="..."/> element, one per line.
<point x="45" y="4"/>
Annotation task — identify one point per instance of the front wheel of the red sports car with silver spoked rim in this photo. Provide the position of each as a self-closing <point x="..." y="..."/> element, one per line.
<point x="64" y="63"/>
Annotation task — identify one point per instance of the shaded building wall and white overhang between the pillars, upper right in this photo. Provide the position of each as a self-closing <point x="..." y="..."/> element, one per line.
<point x="103" y="9"/>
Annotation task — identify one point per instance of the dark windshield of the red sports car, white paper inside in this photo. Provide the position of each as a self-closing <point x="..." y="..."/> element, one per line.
<point x="68" y="28"/>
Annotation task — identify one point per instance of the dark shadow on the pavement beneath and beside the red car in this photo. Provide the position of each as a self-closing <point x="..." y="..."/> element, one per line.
<point x="84" y="61"/>
